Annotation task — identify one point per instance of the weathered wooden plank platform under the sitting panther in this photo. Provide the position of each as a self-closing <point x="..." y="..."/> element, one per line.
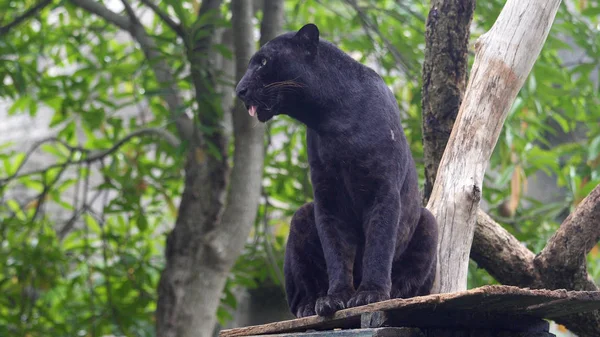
<point x="504" y="308"/>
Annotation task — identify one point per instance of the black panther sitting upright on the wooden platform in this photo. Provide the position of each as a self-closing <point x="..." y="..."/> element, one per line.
<point x="366" y="237"/>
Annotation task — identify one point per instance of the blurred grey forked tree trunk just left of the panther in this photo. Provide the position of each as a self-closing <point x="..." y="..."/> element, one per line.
<point x="211" y="230"/>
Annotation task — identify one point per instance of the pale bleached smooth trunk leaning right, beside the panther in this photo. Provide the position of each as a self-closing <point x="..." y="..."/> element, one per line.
<point x="504" y="58"/>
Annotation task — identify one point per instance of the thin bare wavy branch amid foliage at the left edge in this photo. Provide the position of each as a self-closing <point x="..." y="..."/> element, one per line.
<point x="93" y="155"/>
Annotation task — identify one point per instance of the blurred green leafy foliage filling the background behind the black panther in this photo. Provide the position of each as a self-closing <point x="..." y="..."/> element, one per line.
<point x="82" y="242"/>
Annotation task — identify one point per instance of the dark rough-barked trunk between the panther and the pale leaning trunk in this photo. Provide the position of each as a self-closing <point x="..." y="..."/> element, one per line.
<point x="444" y="78"/>
